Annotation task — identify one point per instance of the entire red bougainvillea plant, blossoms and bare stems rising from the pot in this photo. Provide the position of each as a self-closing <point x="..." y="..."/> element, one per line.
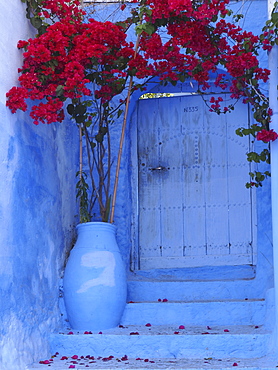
<point x="89" y="68"/>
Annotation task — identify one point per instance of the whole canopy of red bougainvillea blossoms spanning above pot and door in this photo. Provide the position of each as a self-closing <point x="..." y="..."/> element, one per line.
<point x="70" y="58"/>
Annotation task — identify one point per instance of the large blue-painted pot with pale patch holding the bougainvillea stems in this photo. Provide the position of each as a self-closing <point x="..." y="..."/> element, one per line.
<point x="95" y="285"/>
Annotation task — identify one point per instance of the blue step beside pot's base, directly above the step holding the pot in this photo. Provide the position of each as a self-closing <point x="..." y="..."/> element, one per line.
<point x="229" y="312"/>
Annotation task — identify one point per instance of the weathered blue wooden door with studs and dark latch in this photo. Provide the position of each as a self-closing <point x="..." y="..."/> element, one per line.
<point x="194" y="209"/>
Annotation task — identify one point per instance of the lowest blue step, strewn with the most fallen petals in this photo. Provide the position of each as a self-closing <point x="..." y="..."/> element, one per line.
<point x="59" y="362"/>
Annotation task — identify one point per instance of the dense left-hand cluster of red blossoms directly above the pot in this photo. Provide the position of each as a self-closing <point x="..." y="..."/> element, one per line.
<point x="60" y="64"/>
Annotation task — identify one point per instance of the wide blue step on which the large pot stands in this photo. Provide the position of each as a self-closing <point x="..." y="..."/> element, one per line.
<point x="167" y="342"/>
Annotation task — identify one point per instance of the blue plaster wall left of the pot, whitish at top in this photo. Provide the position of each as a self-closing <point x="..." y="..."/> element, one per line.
<point x="37" y="209"/>
